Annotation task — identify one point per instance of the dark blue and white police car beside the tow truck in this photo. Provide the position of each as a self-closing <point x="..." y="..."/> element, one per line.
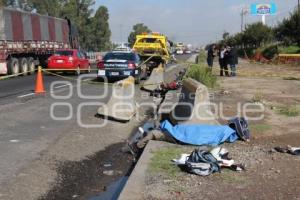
<point x="116" y="65"/>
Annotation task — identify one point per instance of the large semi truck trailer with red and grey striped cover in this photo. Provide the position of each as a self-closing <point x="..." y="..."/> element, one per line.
<point x="29" y="39"/>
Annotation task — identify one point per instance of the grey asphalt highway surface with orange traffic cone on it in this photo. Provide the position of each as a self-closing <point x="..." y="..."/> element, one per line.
<point x="32" y="143"/>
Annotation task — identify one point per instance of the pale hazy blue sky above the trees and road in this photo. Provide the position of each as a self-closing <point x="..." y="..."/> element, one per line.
<point x="196" y="22"/>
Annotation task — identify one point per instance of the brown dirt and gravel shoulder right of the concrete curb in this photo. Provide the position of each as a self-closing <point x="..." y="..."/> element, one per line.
<point x="269" y="175"/>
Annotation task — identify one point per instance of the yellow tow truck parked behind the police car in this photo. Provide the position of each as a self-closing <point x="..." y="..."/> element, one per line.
<point x="153" y="48"/>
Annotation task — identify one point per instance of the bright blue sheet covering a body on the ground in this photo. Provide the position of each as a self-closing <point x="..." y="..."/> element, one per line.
<point x="200" y="134"/>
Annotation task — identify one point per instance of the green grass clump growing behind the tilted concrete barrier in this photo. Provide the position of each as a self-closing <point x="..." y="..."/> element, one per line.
<point x="203" y="74"/>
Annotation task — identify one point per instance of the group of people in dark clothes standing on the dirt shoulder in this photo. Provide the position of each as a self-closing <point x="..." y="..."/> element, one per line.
<point x="227" y="56"/>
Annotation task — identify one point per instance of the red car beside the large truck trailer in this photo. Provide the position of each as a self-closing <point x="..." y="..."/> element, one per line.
<point x="69" y="60"/>
